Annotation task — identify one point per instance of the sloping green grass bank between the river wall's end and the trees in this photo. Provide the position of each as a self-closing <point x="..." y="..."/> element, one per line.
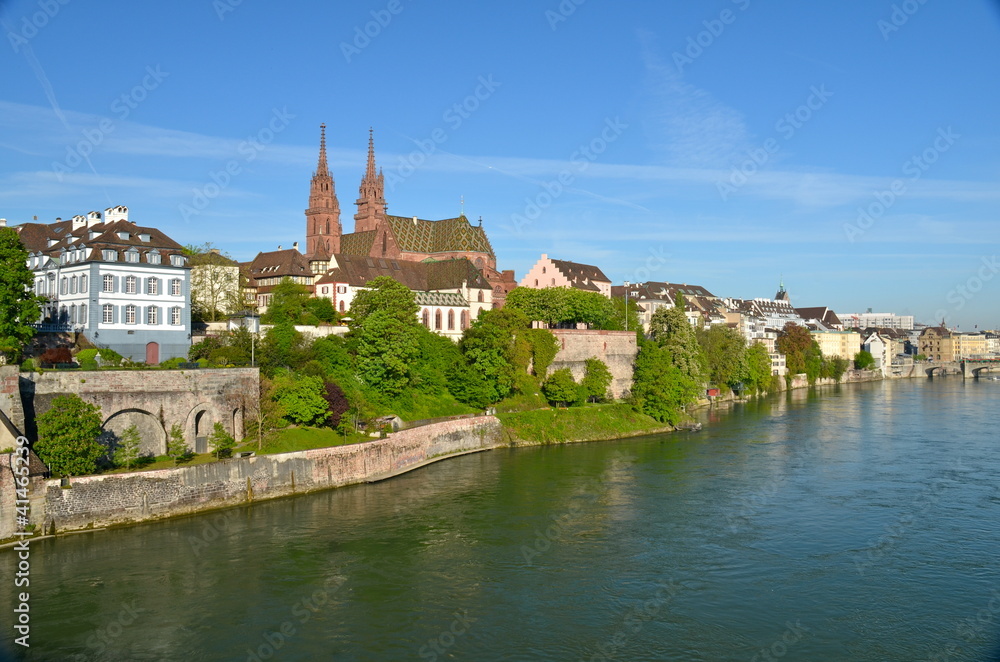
<point x="591" y="423"/>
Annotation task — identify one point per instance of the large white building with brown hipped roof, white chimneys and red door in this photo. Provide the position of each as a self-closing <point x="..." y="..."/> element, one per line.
<point x="125" y="287"/>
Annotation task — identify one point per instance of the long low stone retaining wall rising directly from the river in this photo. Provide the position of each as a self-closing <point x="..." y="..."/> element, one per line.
<point x="97" y="501"/>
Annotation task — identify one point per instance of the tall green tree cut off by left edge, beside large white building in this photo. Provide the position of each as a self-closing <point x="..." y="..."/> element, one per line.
<point x="19" y="307"/>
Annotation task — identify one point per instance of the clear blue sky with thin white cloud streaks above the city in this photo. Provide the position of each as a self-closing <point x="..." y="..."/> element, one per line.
<point x="725" y="143"/>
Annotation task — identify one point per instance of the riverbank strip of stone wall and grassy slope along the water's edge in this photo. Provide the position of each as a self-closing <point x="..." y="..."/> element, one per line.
<point x="110" y="500"/>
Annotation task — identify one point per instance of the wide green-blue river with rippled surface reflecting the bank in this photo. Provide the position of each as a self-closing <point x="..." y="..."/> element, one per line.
<point x="847" y="523"/>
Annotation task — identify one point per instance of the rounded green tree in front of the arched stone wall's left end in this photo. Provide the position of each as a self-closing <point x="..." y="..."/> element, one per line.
<point x="67" y="436"/>
